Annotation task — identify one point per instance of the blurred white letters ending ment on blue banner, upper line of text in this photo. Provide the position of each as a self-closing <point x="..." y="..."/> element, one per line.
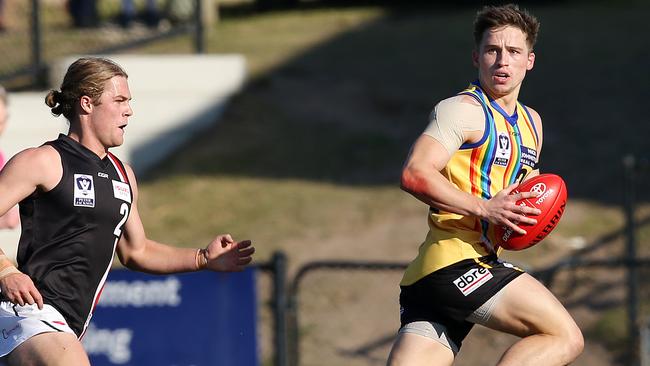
<point x="140" y="294"/>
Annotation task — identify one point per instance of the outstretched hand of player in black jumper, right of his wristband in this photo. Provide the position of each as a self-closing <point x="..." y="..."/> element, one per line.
<point x="226" y="255"/>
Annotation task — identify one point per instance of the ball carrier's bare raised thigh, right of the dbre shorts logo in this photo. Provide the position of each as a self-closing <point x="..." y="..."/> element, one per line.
<point x="526" y="307"/>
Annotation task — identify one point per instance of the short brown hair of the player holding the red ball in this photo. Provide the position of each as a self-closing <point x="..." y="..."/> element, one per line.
<point x="500" y="16"/>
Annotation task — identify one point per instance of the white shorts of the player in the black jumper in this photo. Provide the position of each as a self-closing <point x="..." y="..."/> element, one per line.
<point x="19" y="323"/>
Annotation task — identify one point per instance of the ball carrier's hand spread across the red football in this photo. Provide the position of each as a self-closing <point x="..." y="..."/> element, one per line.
<point x="502" y="209"/>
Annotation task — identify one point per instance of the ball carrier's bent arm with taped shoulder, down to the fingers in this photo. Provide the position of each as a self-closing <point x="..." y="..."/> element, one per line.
<point x="429" y="155"/>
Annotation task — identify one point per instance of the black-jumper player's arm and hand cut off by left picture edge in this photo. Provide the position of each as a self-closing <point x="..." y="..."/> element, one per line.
<point x="30" y="170"/>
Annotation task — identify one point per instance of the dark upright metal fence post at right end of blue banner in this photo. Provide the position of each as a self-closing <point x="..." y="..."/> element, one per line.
<point x="280" y="307"/>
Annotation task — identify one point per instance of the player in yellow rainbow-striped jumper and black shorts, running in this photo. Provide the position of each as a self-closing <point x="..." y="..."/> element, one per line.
<point x="479" y="144"/>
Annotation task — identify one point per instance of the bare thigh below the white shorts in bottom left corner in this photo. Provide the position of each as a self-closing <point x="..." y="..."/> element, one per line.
<point x="51" y="349"/>
